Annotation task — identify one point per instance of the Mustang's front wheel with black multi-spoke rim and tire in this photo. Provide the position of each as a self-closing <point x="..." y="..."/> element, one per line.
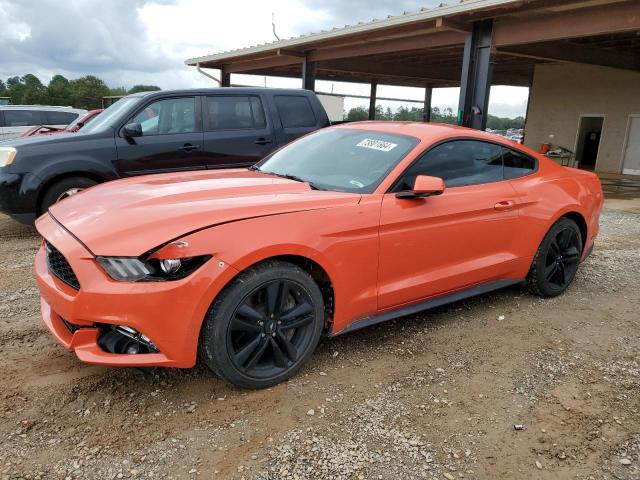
<point x="250" y="329"/>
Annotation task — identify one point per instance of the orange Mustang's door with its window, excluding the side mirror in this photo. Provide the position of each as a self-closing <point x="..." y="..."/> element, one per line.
<point x="461" y="238"/>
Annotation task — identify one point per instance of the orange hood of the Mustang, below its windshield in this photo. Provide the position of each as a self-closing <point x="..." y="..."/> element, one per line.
<point x="132" y="216"/>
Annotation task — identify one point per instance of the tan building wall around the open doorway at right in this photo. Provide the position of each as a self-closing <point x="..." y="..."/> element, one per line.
<point x="562" y="92"/>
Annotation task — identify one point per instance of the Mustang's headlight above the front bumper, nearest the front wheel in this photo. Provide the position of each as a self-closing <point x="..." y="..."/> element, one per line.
<point x="129" y="269"/>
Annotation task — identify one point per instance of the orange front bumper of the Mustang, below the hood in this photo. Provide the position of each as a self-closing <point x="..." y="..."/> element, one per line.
<point x="170" y="314"/>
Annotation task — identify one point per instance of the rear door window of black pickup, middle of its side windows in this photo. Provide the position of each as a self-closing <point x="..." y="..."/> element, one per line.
<point x="232" y="112"/>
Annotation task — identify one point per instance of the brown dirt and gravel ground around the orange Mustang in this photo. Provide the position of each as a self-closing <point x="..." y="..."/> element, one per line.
<point x="436" y="395"/>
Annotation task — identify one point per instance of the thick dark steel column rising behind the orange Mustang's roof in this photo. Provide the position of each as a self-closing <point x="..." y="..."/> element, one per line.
<point x="477" y="69"/>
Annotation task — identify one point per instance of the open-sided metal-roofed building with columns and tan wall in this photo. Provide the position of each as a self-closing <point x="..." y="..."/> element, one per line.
<point x="580" y="58"/>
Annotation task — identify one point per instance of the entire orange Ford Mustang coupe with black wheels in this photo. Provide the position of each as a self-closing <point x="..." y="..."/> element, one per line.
<point x="341" y="229"/>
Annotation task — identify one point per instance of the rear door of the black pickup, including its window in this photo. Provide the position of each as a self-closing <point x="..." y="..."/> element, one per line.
<point x="237" y="132"/>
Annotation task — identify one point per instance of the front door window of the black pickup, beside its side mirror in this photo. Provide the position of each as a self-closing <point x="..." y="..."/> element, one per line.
<point x="168" y="116"/>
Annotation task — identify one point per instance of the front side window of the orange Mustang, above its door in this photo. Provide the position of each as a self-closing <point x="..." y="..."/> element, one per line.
<point x="458" y="163"/>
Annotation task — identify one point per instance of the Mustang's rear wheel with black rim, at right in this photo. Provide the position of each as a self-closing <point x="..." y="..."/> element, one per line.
<point x="557" y="260"/>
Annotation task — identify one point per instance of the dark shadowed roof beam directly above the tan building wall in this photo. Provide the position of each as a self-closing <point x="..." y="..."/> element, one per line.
<point x="573" y="52"/>
